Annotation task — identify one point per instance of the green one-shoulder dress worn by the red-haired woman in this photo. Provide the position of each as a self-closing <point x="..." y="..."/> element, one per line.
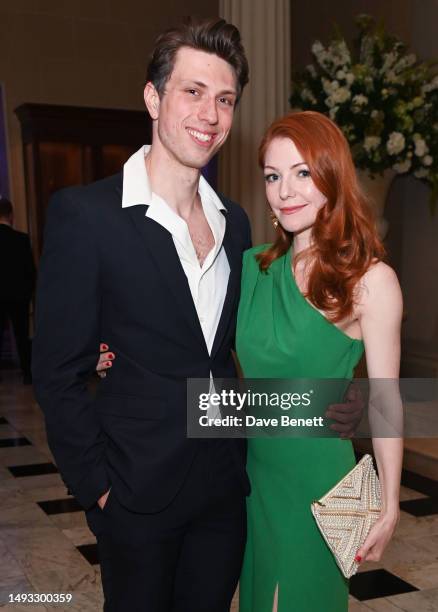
<point x="281" y="335"/>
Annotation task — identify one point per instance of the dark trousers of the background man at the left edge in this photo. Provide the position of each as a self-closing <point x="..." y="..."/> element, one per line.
<point x="18" y="313"/>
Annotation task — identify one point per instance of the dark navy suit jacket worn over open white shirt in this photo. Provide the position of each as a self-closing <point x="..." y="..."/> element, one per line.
<point x="113" y="274"/>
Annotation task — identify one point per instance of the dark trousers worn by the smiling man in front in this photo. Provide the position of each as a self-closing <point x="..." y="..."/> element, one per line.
<point x="186" y="558"/>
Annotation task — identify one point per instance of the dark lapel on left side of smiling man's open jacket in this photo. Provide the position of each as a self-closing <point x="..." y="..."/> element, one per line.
<point x="160" y="247"/>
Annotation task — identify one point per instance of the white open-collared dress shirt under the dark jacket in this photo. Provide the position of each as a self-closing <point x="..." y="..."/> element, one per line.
<point x="208" y="284"/>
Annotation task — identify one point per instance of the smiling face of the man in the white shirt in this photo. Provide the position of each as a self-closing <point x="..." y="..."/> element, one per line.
<point x="195" y="112"/>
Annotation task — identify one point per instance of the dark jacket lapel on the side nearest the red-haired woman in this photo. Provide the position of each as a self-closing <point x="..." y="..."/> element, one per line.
<point x="234" y="260"/>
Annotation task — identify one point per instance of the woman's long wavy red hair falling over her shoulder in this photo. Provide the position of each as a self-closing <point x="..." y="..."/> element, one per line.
<point x="344" y="237"/>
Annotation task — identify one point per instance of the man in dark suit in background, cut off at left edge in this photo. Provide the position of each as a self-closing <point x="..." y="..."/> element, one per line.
<point x="17" y="284"/>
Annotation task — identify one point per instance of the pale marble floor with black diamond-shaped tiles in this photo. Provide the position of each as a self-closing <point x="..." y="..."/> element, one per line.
<point x="46" y="546"/>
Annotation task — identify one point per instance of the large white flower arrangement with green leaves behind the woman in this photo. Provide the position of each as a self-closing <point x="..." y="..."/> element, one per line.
<point x="383" y="98"/>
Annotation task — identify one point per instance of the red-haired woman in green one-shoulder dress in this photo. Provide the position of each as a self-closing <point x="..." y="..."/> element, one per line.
<point x="311" y="303"/>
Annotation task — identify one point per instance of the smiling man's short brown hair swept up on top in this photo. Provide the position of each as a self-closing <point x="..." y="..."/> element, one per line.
<point x="214" y="36"/>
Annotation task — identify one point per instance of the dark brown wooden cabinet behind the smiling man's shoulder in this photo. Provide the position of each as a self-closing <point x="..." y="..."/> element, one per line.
<point x="67" y="145"/>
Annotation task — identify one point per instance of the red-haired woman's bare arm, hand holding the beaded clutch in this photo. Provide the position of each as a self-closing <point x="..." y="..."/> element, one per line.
<point x="380" y="313"/>
